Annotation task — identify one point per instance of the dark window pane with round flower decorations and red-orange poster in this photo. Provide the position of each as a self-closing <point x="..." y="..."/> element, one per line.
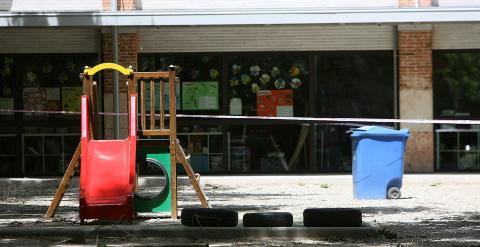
<point x="268" y="84"/>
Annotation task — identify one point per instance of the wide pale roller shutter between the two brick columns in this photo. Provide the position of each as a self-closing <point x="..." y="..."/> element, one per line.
<point x="266" y="38"/>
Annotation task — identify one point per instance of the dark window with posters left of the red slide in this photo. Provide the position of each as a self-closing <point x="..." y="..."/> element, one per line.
<point x="51" y="82"/>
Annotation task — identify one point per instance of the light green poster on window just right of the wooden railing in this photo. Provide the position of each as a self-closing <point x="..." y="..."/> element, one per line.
<point x="200" y="95"/>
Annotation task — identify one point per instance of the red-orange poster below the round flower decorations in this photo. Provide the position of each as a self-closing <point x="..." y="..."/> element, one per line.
<point x="275" y="103"/>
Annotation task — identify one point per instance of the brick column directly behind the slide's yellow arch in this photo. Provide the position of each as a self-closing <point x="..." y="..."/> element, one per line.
<point x="127" y="55"/>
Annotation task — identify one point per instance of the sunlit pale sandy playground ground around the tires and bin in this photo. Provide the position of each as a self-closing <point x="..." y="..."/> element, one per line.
<point x="435" y="209"/>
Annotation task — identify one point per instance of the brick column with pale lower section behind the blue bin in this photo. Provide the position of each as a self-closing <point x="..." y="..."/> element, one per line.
<point x="416" y="95"/>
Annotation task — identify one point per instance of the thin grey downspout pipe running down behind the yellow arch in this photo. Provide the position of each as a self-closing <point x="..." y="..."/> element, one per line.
<point x="116" y="89"/>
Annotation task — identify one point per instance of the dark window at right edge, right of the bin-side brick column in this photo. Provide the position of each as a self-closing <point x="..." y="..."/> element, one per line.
<point x="456" y="92"/>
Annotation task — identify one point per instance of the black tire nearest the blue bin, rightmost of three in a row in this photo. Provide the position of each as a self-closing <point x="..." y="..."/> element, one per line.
<point x="332" y="217"/>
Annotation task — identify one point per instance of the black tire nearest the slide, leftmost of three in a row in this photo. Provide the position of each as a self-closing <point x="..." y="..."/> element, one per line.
<point x="209" y="217"/>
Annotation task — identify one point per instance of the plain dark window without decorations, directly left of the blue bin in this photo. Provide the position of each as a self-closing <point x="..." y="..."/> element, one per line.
<point x="354" y="85"/>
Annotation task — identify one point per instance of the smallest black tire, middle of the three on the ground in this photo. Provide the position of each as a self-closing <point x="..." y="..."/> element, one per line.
<point x="268" y="219"/>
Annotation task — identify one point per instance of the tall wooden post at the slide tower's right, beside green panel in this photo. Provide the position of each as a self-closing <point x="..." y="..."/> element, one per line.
<point x="173" y="138"/>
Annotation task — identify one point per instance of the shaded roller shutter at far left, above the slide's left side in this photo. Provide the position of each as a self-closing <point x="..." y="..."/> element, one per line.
<point x="48" y="40"/>
